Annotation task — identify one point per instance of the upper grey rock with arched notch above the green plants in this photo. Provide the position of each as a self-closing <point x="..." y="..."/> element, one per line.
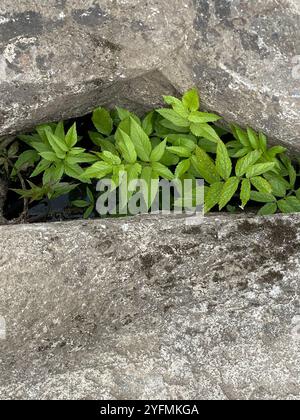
<point x="62" y="58"/>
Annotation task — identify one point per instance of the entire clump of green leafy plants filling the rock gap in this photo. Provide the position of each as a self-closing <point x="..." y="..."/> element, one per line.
<point x="177" y="142"/>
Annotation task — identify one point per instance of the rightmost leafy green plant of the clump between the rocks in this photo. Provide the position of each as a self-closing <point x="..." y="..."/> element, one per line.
<point x="259" y="174"/>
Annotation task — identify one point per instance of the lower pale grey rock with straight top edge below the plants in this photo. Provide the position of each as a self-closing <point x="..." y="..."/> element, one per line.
<point x="151" y="308"/>
